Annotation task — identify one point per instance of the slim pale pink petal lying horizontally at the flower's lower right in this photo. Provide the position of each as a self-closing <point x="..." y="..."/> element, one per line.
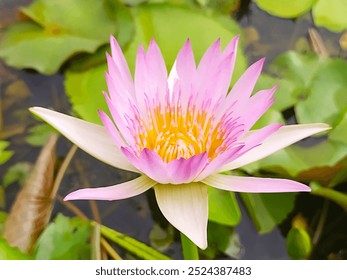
<point x="254" y="184"/>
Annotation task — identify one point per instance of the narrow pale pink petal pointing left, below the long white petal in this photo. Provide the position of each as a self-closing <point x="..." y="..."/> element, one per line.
<point x="120" y="191"/>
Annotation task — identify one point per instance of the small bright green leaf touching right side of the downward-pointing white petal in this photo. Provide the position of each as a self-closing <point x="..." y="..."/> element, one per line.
<point x="223" y="207"/>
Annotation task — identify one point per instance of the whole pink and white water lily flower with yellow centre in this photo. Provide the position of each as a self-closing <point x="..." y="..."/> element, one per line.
<point x="180" y="131"/>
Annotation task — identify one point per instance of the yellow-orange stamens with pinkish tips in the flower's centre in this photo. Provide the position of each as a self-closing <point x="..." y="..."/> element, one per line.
<point x="173" y="133"/>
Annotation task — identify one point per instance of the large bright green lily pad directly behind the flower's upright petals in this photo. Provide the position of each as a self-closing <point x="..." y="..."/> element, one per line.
<point x="151" y="21"/>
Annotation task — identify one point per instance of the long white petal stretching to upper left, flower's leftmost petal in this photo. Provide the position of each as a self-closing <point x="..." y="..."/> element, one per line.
<point x="90" y="137"/>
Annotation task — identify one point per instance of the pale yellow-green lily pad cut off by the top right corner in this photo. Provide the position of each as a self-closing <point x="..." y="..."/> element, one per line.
<point x="330" y="15"/>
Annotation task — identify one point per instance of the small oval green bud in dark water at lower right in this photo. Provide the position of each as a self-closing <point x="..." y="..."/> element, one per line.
<point x="298" y="243"/>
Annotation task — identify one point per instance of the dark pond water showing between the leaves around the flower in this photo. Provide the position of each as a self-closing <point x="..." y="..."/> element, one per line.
<point x="268" y="36"/>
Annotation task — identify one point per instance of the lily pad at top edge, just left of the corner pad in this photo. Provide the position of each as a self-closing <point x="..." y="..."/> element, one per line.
<point x="285" y="8"/>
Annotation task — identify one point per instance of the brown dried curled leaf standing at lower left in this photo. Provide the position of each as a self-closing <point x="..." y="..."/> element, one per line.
<point x="32" y="208"/>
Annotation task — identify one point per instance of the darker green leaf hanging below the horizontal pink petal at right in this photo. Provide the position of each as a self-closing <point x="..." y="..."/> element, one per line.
<point x="268" y="210"/>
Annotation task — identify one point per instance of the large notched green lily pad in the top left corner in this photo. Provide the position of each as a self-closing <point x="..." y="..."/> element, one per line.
<point x="60" y="29"/>
